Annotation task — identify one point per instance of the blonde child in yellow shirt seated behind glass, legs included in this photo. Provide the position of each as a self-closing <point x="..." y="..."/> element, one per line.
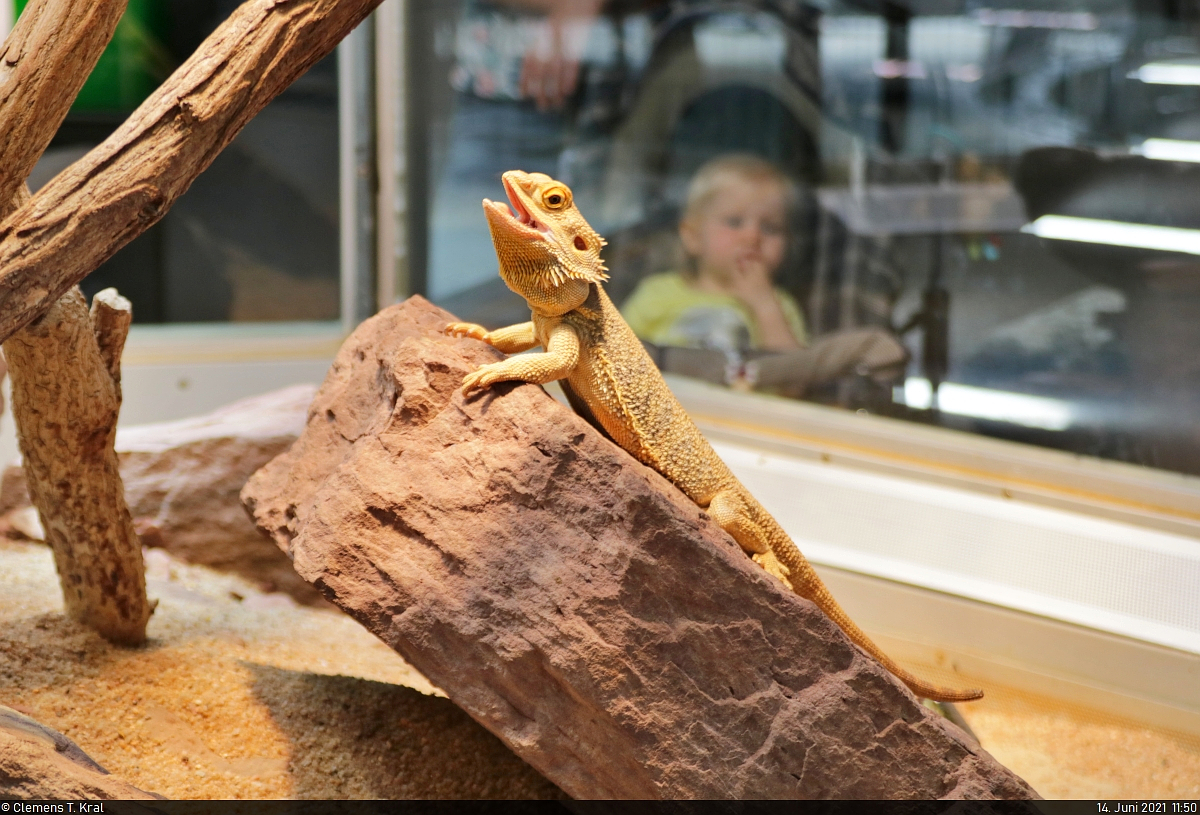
<point x="735" y="241"/>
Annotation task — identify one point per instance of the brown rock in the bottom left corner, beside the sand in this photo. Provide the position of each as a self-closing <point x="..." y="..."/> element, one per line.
<point x="38" y="763"/>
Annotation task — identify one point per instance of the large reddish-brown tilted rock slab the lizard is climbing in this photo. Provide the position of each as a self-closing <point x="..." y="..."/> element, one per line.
<point x="574" y="602"/>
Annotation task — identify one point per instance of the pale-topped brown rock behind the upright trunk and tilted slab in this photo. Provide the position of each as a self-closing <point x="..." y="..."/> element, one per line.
<point x="183" y="480"/>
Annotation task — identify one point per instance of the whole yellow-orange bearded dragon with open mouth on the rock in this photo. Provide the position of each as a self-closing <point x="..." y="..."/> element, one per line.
<point x="550" y="256"/>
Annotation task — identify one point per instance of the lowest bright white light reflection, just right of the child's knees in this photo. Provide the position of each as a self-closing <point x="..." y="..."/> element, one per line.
<point x="987" y="404"/>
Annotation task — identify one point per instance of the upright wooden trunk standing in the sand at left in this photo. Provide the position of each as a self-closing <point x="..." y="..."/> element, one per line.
<point x="67" y="404"/>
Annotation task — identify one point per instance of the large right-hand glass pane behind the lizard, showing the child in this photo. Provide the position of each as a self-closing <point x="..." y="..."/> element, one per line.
<point x="983" y="215"/>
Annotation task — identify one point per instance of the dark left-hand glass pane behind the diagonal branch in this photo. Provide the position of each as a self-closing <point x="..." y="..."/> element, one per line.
<point x="256" y="236"/>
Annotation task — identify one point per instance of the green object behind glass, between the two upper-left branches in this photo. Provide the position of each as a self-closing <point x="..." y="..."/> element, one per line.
<point x="134" y="64"/>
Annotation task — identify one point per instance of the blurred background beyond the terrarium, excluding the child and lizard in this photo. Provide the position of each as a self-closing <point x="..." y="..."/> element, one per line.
<point x="961" y="166"/>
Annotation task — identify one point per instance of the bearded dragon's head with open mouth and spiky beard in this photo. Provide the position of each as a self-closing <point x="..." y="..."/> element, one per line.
<point x="549" y="255"/>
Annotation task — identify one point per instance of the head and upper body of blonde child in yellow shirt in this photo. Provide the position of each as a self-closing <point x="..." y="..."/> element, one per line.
<point x="735" y="239"/>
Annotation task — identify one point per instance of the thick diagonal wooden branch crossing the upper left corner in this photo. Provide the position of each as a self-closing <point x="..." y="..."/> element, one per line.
<point x="127" y="184"/>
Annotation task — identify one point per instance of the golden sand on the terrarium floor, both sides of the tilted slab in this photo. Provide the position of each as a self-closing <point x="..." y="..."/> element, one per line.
<point x="247" y="696"/>
